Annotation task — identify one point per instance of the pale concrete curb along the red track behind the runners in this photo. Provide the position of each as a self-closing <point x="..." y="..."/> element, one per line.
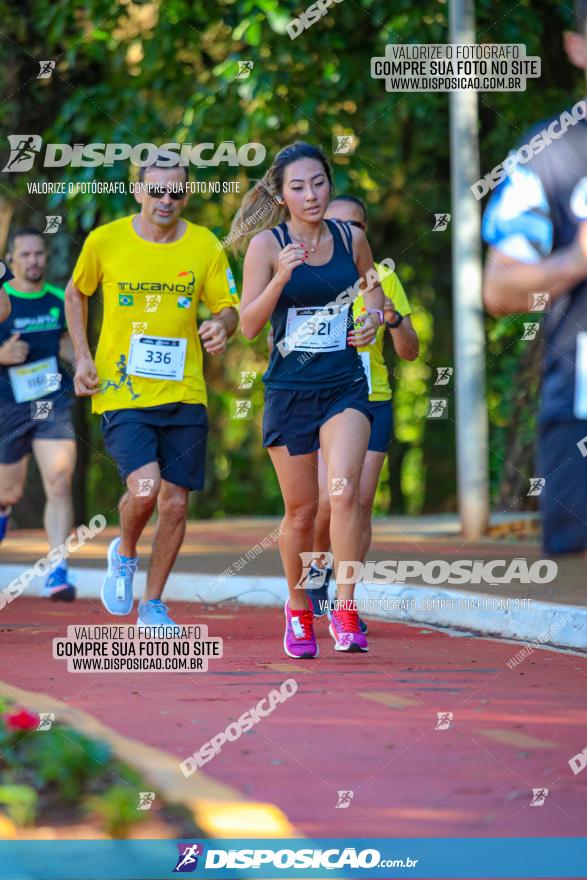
<point x="543" y="623"/>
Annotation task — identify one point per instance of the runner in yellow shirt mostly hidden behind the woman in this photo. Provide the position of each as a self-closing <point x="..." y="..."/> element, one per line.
<point x="399" y="327"/>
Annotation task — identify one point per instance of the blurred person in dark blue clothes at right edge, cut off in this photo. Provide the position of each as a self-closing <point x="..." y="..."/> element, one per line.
<point x="536" y="225"/>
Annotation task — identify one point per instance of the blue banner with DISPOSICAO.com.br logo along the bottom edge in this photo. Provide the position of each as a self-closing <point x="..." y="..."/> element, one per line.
<point x="529" y="857"/>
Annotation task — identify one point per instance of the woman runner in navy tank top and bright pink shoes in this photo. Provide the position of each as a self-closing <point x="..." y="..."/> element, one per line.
<point x="302" y="276"/>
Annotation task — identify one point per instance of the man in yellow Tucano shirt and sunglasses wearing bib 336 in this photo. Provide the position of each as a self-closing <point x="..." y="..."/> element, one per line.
<point x="147" y="380"/>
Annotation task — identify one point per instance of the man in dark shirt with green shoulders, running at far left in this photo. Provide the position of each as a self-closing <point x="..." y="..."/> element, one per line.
<point x="36" y="398"/>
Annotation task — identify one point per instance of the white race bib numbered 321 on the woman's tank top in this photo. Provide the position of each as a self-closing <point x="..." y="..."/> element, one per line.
<point x="316" y="328"/>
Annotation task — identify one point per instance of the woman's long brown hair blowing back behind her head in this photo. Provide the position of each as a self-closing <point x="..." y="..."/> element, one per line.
<point x="260" y="208"/>
